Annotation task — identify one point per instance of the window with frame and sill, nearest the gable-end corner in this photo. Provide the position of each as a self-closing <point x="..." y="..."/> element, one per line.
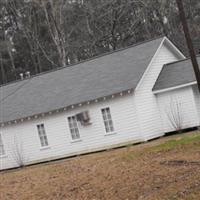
<point x="107" y="121"/>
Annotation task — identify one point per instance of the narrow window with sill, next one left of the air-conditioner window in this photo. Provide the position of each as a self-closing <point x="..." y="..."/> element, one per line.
<point x="44" y="142"/>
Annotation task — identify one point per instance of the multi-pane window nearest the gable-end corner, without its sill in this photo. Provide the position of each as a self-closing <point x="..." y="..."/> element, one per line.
<point x="108" y="123"/>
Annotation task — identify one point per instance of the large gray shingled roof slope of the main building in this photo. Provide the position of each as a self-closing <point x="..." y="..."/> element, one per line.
<point x="95" y="78"/>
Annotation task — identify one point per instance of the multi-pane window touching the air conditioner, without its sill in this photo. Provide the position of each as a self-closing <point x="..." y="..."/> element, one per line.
<point x="73" y="126"/>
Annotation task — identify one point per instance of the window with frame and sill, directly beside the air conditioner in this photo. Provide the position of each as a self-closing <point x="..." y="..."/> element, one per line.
<point x="73" y="128"/>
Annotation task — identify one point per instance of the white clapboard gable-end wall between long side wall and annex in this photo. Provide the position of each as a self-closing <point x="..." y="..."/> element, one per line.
<point x="146" y="102"/>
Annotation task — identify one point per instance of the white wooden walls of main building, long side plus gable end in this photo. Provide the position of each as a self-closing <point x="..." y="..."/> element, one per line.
<point x="136" y="118"/>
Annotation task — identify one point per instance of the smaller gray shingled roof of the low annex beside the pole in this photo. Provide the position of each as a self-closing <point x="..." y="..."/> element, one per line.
<point x="175" y="74"/>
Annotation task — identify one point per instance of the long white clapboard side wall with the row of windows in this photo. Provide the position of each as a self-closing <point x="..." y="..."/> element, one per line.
<point x="93" y="137"/>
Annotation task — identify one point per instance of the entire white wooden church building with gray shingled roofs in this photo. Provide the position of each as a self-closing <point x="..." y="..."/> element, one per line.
<point x="128" y="96"/>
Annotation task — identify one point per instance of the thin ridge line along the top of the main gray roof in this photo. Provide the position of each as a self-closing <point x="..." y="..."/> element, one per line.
<point x="83" y="61"/>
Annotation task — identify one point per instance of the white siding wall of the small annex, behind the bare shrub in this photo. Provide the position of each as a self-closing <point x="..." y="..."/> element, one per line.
<point x="178" y="107"/>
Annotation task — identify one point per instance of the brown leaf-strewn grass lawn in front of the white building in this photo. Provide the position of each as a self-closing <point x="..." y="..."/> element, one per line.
<point x="167" y="168"/>
